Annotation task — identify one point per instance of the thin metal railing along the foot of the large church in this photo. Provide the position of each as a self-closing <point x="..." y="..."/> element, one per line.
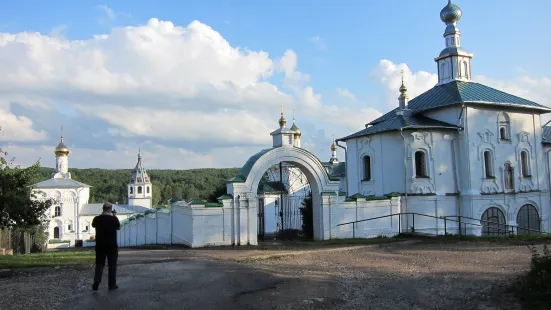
<point x="490" y="227"/>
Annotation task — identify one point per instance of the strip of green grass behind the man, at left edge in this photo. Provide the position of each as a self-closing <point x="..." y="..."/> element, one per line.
<point x="71" y="257"/>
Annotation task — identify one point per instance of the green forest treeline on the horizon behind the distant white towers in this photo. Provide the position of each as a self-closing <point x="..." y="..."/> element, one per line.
<point x="111" y="185"/>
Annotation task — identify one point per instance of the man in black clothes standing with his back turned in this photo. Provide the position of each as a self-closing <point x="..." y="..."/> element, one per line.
<point x="106" y="225"/>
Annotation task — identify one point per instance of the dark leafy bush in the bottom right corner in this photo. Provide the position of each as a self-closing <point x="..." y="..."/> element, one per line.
<point x="533" y="288"/>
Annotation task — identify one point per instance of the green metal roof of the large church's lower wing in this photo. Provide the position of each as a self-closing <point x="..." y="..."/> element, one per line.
<point x="395" y="122"/>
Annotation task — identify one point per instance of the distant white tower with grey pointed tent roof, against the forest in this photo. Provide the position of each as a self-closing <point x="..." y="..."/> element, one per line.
<point x="140" y="189"/>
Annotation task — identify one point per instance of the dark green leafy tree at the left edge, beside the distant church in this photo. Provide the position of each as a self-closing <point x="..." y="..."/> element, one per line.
<point x="19" y="205"/>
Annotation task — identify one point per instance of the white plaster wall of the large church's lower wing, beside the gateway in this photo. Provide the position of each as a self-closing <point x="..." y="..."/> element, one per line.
<point x="387" y="161"/>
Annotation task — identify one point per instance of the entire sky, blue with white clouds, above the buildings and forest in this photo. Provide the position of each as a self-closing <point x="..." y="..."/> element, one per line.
<point x="199" y="84"/>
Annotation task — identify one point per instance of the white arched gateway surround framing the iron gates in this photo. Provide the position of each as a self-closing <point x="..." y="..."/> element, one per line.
<point x="244" y="189"/>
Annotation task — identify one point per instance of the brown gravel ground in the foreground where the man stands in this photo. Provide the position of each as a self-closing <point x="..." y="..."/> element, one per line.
<point x="392" y="276"/>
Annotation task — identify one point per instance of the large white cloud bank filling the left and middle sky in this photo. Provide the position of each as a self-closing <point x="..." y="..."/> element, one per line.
<point x="185" y="89"/>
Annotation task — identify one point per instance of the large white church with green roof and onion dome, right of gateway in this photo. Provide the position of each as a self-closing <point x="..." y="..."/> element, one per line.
<point x="459" y="149"/>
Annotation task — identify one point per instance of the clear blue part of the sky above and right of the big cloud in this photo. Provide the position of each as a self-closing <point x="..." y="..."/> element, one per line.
<point x="337" y="43"/>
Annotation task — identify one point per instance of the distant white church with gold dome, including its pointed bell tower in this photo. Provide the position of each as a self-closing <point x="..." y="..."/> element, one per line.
<point x="71" y="215"/>
